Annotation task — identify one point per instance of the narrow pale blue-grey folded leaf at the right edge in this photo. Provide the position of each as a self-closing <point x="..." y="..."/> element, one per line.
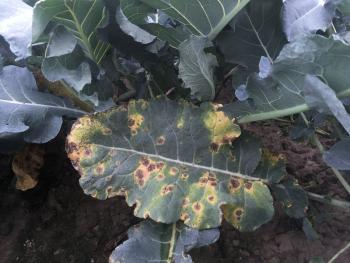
<point x="322" y="98"/>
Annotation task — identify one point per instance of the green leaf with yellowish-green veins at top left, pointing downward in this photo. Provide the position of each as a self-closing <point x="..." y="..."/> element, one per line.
<point x="80" y="17"/>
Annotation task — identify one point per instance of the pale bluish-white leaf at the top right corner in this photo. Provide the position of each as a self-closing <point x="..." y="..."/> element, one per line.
<point x="302" y="18"/>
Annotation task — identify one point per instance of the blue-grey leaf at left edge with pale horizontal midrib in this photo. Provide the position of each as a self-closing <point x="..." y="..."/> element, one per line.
<point x="27" y="114"/>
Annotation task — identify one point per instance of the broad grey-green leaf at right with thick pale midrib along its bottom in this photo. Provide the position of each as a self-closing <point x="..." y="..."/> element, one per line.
<point x="281" y="94"/>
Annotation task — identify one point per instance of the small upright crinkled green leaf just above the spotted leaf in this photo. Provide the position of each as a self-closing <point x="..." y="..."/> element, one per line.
<point x="197" y="68"/>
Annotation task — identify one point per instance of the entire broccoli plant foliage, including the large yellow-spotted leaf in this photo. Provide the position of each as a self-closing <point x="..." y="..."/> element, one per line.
<point x="144" y="77"/>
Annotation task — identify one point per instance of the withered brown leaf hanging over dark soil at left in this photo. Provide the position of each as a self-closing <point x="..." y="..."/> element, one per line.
<point x="26" y="165"/>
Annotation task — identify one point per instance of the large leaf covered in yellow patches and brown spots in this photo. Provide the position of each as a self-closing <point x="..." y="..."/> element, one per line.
<point x="174" y="161"/>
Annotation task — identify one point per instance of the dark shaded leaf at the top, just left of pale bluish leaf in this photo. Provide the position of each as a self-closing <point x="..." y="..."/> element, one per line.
<point x="255" y="32"/>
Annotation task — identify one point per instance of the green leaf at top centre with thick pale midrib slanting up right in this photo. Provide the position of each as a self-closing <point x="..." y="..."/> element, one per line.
<point x="201" y="17"/>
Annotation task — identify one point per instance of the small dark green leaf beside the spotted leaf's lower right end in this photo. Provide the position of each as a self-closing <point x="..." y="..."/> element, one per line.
<point x="292" y="197"/>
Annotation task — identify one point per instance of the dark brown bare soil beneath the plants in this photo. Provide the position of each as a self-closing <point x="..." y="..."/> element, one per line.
<point x="56" y="222"/>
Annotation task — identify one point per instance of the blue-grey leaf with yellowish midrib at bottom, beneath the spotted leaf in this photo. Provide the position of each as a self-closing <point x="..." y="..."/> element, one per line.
<point x="154" y="242"/>
